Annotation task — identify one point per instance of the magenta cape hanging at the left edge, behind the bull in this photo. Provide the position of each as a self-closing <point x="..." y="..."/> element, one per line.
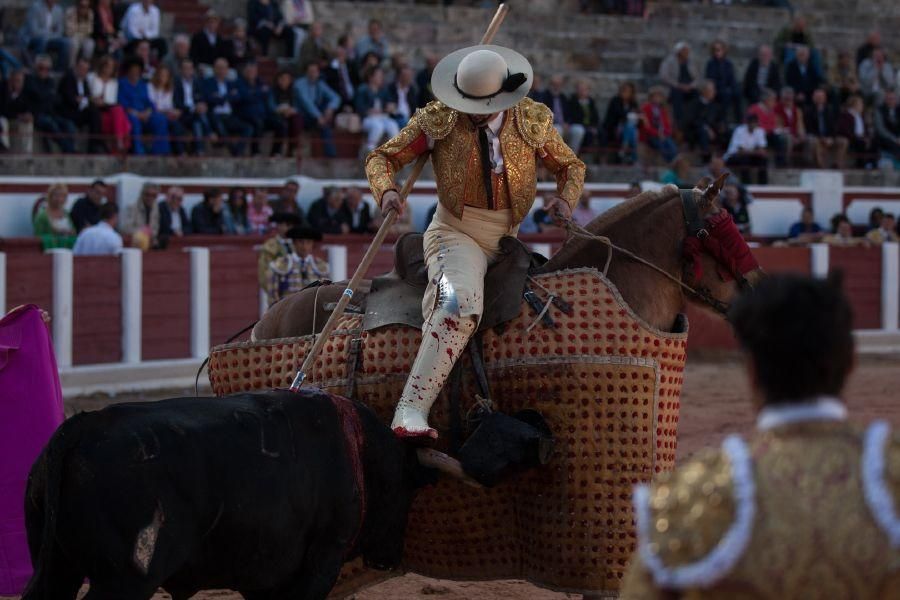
<point x="31" y="409"/>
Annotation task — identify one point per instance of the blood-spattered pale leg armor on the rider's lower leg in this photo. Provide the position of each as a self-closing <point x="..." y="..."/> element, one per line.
<point x="444" y="337"/>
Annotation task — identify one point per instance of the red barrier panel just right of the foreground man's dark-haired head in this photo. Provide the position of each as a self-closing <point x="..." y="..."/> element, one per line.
<point x="862" y="283"/>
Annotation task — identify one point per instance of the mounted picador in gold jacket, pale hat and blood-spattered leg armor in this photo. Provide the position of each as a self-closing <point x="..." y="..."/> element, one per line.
<point x="485" y="138"/>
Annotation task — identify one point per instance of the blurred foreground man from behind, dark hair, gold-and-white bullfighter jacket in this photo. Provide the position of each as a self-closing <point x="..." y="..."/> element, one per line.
<point x="806" y="508"/>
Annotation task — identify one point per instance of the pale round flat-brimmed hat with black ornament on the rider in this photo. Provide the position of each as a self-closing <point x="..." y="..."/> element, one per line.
<point x="480" y="80"/>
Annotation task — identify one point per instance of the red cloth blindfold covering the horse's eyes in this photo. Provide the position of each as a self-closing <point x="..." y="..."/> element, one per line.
<point x="725" y="244"/>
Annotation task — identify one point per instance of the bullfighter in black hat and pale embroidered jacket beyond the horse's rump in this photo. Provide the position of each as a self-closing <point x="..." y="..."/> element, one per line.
<point x="292" y="272"/>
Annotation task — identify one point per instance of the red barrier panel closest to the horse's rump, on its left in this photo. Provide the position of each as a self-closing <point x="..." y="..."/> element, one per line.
<point x="233" y="294"/>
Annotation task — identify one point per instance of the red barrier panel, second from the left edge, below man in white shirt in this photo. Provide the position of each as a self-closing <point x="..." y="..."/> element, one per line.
<point x="97" y="310"/>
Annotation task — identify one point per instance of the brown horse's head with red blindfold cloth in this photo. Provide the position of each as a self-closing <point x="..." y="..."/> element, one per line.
<point x="718" y="261"/>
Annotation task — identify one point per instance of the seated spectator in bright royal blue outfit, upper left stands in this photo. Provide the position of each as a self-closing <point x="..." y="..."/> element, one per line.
<point x="134" y="97"/>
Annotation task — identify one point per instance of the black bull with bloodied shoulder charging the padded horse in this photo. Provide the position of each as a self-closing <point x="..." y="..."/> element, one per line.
<point x="252" y="492"/>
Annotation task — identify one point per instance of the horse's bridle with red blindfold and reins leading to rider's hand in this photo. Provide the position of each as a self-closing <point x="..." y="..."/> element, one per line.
<point x="703" y="234"/>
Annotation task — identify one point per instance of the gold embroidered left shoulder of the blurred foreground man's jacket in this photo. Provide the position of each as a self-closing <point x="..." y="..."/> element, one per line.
<point x="691" y="509"/>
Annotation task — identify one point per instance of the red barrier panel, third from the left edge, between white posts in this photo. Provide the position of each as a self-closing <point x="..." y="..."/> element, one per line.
<point x="166" y="322"/>
